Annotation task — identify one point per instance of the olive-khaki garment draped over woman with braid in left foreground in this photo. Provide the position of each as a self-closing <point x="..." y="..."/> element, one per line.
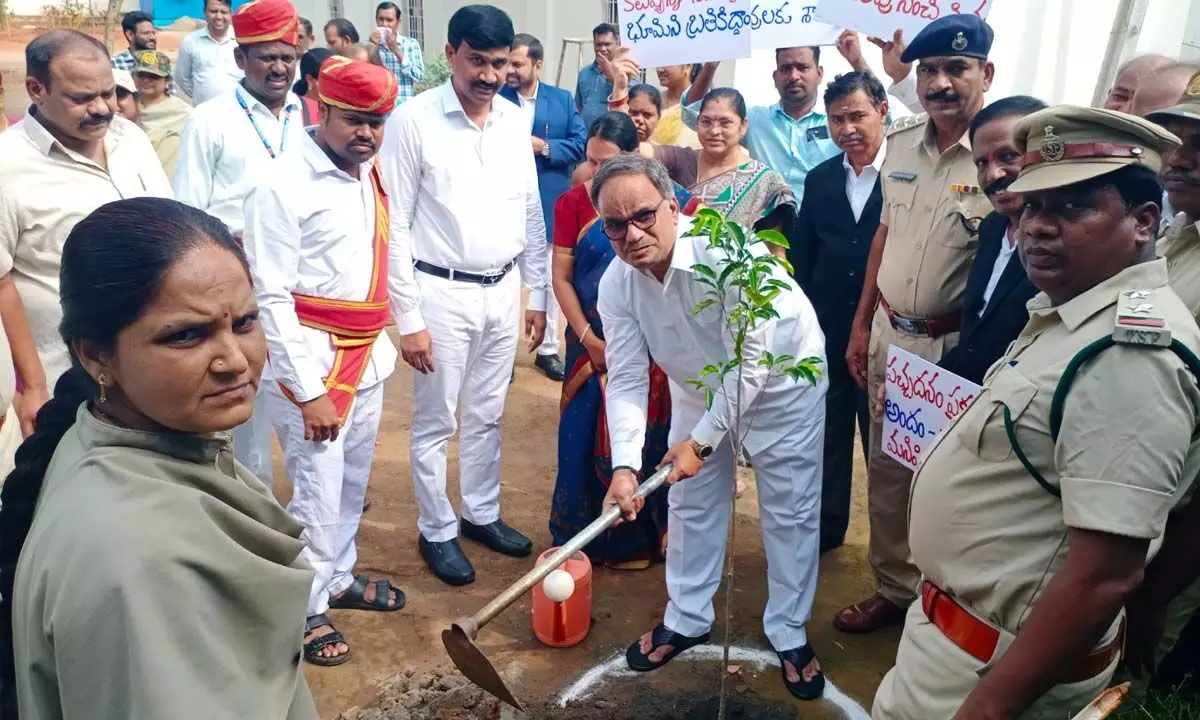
<point x="160" y="579"/>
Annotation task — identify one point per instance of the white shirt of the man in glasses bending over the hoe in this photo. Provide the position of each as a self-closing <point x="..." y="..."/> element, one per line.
<point x="644" y="317"/>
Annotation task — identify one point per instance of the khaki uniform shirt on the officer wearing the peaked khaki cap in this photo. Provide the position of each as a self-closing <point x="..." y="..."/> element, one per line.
<point x="989" y="535"/>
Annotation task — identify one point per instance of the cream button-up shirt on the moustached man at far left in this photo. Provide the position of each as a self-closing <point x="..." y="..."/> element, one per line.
<point x="46" y="190"/>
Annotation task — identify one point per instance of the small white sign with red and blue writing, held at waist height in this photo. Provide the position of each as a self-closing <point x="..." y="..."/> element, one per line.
<point x="920" y="401"/>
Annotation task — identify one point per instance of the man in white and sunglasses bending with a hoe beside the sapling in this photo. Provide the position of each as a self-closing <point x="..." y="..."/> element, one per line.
<point x="647" y="303"/>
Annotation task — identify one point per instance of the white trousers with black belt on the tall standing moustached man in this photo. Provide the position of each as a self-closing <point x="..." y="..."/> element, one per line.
<point x="475" y="331"/>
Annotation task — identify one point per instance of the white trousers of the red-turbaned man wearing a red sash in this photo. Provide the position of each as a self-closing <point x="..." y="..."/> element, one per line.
<point x="329" y="483"/>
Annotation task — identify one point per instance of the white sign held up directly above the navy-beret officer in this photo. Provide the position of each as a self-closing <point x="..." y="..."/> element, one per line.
<point x="883" y="19"/>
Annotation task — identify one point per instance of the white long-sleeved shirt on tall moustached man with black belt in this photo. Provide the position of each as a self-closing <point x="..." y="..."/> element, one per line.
<point x="463" y="197"/>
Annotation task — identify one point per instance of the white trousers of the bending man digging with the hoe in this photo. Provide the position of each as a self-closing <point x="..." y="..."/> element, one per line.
<point x="788" y="476"/>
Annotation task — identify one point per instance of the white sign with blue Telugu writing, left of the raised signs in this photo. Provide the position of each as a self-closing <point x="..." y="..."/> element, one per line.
<point x="681" y="32"/>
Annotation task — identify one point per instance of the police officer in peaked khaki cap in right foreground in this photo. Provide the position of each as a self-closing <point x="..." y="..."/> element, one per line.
<point x="1035" y="512"/>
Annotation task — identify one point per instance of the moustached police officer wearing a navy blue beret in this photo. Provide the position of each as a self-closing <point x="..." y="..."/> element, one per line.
<point x="917" y="274"/>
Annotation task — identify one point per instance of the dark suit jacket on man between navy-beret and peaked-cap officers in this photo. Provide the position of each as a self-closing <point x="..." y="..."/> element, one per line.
<point x="985" y="339"/>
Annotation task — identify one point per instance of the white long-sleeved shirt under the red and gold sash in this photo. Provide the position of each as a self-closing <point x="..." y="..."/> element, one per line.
<point x="310" y="230"/>
